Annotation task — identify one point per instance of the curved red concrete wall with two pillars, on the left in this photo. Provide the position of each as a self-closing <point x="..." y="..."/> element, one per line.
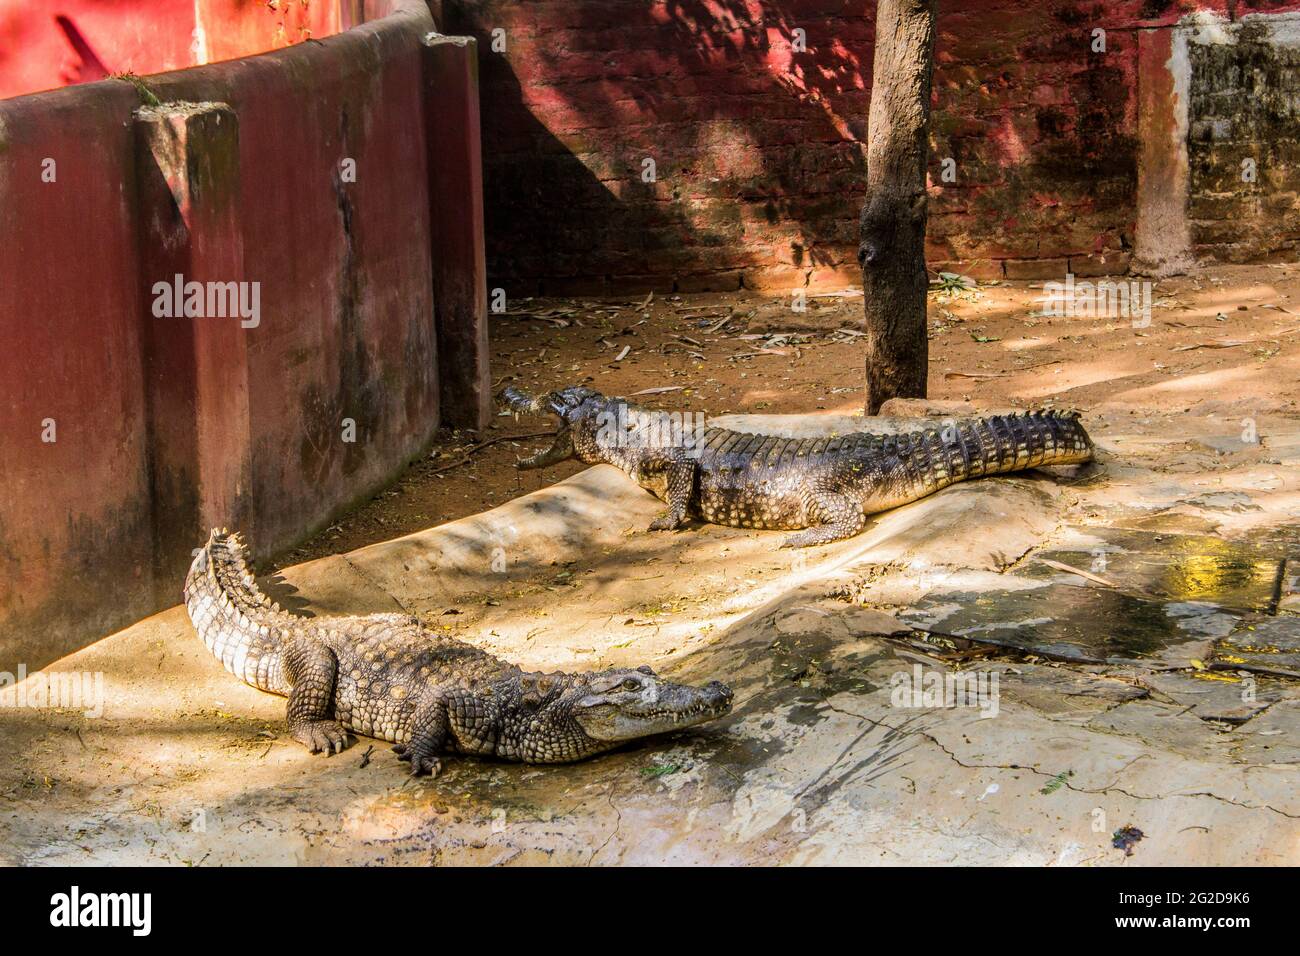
<point x="307" y="181"/>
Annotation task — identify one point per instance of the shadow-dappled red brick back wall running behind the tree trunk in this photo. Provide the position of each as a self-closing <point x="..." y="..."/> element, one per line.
<point x="755" y="116"/>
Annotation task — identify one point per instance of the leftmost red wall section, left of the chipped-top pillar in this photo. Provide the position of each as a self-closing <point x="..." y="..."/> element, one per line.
<point x="75" y="514"/>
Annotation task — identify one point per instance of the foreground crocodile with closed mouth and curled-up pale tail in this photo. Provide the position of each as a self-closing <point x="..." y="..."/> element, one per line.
<point x="389" y="677"/>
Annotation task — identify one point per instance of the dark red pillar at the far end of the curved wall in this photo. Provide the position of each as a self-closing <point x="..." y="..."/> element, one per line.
<point x="457" y="230"/>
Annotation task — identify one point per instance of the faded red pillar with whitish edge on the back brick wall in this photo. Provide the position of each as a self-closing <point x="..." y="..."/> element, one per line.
<point x="1163" y="239"/>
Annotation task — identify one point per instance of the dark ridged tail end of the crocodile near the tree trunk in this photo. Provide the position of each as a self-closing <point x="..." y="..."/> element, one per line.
<point x="1012" y="443"/>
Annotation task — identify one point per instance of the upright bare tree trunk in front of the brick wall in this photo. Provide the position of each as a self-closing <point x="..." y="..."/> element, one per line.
<point x="892" y="249"/>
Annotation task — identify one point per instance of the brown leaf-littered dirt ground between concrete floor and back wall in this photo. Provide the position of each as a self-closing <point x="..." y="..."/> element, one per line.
<point x="1223" y="343"/>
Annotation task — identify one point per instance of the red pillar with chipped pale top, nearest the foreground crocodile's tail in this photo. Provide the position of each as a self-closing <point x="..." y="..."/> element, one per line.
<point x="196" y="366"/>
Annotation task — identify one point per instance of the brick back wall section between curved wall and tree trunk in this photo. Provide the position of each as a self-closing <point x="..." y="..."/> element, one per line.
<point x="752" y="118"/>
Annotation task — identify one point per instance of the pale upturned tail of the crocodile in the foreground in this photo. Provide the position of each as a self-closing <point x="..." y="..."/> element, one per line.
<point x="239" y="624"/>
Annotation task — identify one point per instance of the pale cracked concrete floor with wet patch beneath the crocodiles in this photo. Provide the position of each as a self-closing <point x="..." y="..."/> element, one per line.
<point x="822" y="760"/>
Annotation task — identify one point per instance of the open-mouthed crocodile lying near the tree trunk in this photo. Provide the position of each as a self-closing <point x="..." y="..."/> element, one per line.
<point x="822" y="488"/>
